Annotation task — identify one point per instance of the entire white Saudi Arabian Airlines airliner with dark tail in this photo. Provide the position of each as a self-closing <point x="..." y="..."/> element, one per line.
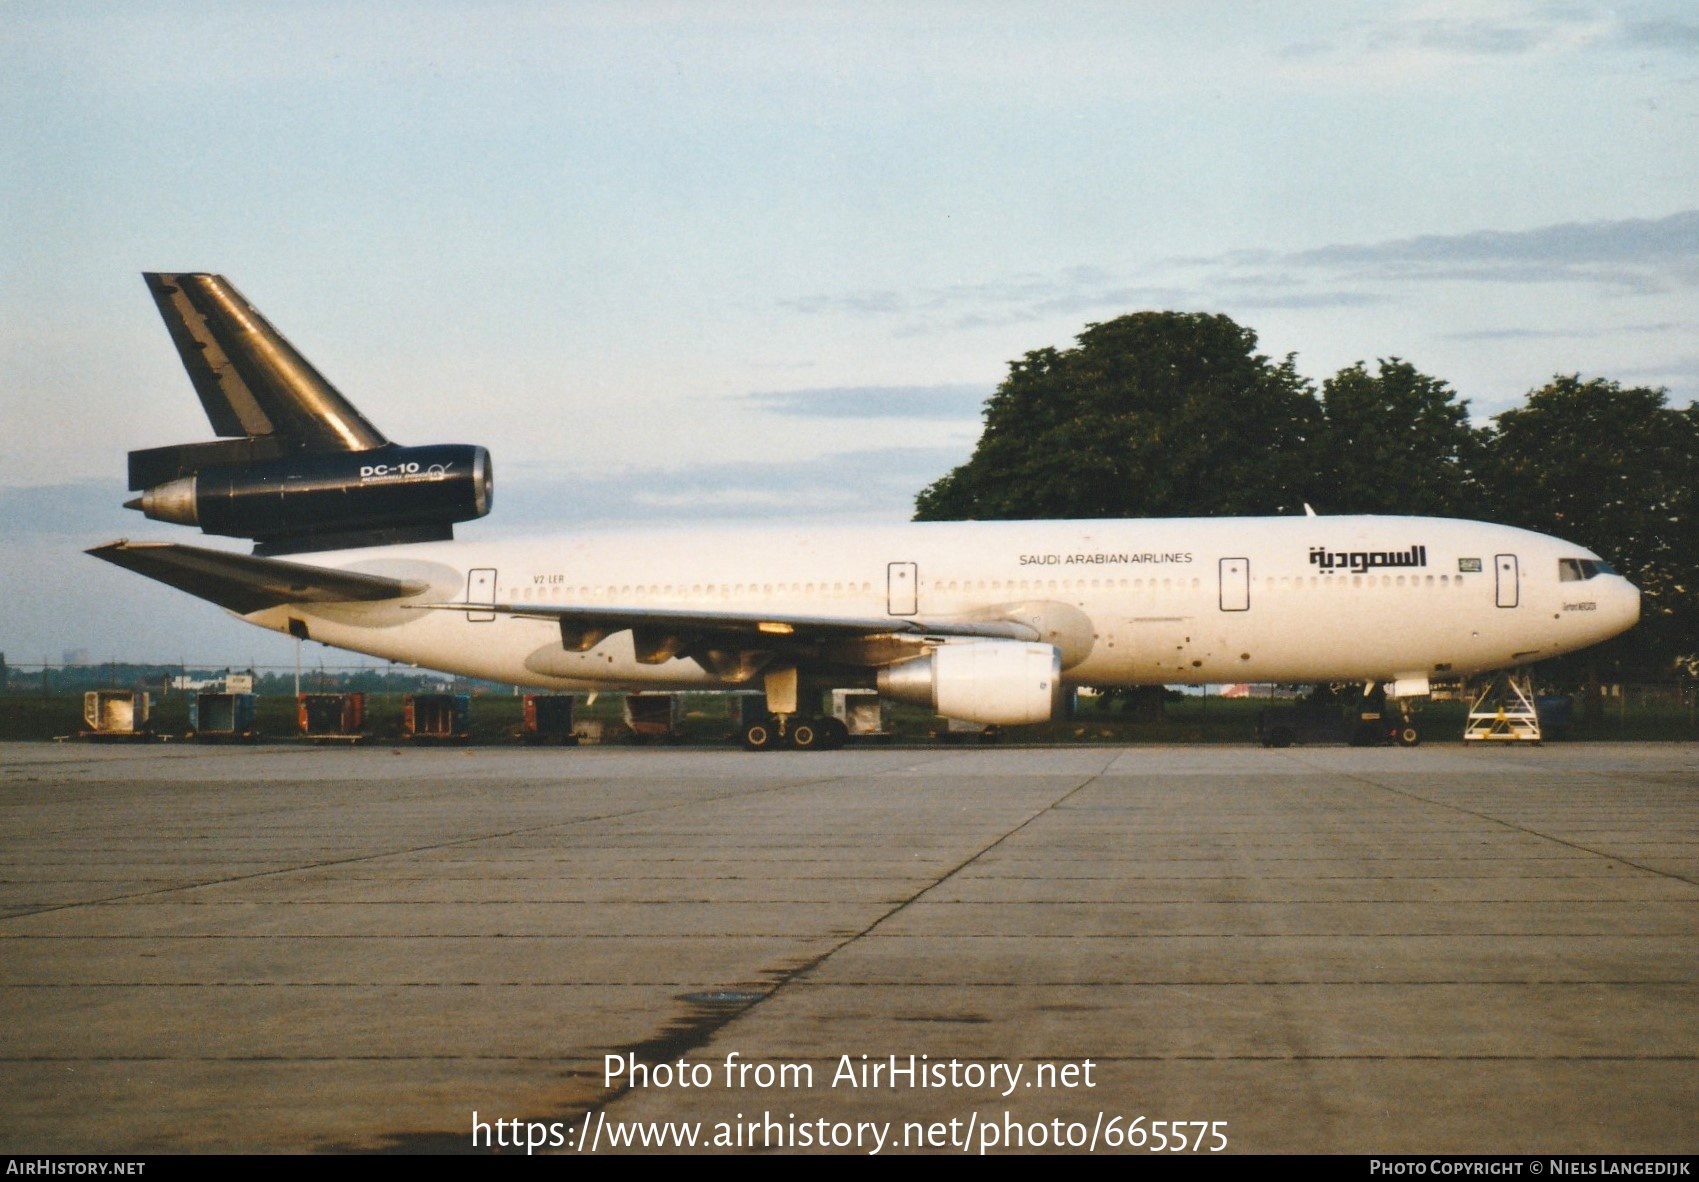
<point x="979" y="621"/>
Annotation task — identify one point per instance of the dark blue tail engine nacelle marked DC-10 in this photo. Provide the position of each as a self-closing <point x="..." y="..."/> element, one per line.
<point x="317" y="500"/>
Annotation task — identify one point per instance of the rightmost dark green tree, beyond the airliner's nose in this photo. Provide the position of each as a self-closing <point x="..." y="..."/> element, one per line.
<point x="1613" y="470"/>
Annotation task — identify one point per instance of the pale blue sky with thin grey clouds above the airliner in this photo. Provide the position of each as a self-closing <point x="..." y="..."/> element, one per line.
<point x="674" y="262"/>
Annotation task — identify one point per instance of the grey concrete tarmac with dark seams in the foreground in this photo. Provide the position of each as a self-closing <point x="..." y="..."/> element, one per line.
<point x="1438" y="952"/>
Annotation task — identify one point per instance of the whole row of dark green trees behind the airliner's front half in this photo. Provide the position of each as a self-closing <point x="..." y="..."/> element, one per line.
<point x="1180" y="415"/>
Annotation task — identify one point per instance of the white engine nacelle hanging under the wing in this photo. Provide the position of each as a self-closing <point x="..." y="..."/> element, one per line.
<point x="1003" y="684"/>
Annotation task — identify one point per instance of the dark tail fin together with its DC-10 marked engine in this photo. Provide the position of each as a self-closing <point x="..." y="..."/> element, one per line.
<point x="303" y="468"/>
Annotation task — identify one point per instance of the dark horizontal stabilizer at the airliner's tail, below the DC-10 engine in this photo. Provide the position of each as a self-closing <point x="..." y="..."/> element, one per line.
<point x="244" y="583"/>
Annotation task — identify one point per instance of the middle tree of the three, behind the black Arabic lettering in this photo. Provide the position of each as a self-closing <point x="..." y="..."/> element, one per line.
<point x="1397" y="442"/>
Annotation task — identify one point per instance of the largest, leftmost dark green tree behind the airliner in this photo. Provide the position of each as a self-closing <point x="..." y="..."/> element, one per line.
<point x="1151" y="415"/>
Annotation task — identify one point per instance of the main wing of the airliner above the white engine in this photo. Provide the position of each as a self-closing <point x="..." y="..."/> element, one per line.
<point x="670" y="633"/>
